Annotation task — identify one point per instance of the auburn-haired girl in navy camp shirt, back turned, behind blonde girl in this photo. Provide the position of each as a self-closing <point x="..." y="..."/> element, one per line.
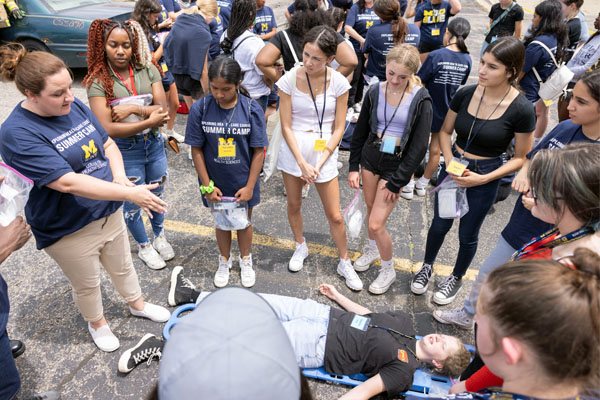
<point x="382" y="38"/>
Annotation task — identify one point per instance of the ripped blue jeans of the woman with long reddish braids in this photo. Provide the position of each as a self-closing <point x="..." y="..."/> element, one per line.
<point x="145" y="162"/>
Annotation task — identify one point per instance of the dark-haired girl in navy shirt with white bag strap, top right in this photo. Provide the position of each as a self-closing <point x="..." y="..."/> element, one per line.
<point x="549" y="29"/>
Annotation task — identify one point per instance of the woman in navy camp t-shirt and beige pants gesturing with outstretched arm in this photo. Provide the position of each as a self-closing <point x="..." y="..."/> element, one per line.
<point x="79" y="186"/>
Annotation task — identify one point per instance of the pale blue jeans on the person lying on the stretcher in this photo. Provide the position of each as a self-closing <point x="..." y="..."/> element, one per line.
<point x="305" y="322"/>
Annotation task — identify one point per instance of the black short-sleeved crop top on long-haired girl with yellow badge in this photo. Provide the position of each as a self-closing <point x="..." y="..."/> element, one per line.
<point x="495" y="135"/>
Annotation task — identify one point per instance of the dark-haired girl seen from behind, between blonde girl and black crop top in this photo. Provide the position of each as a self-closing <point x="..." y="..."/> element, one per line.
<point x="442" y="73"/>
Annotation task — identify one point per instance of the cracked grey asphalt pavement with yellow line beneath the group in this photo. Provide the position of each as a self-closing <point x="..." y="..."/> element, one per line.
<point x="60" y="353"/>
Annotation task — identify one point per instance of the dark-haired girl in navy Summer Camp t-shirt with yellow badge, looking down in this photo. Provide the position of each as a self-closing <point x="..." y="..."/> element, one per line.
<point x="227" y="133"/>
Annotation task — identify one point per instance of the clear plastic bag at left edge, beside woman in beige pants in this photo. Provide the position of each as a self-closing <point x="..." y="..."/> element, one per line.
<point x="14" y="193"/>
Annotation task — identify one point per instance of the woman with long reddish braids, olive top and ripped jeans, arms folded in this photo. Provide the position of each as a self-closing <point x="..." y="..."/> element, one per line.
<point x="118" y="68"/>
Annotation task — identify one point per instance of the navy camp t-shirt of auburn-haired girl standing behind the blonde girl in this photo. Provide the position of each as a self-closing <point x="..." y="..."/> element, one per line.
<point x="380" y="41"/>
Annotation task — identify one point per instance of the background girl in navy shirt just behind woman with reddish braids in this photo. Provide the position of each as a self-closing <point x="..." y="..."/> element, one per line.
<point x="146" y="13"/>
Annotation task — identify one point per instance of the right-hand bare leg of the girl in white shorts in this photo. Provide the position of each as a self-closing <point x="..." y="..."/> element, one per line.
<point x="329" y="192"/>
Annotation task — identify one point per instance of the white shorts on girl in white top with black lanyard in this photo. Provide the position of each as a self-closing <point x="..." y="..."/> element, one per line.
<point x="286" y="161"/>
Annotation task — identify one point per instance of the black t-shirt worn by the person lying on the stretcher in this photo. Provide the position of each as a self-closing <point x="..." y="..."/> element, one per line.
<point x="350" y="350"/>
